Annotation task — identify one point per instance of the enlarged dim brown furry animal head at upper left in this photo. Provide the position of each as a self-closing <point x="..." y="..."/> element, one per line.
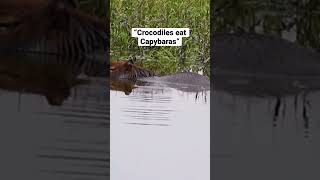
<point x="50" y="27"/>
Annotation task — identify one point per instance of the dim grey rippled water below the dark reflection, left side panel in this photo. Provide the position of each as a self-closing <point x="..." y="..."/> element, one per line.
<point x="41" y="141"/>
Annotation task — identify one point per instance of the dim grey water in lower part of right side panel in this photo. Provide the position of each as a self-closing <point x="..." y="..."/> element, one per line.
<point x="266" y="137"/>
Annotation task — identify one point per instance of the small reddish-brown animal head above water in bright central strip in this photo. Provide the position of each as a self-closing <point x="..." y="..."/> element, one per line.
<point x="128" y="70"/>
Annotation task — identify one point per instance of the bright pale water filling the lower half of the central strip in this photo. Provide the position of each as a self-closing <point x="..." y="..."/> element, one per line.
<point x="159" y="133"/>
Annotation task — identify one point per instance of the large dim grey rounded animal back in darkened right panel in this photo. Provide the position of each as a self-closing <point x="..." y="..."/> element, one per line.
<point x="252" y="64"/>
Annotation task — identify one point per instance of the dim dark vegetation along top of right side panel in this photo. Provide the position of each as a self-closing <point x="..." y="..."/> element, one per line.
<point x="297" y="21"/>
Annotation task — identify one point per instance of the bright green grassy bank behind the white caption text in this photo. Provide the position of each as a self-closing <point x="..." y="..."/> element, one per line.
<point x="193" y="14"/>
